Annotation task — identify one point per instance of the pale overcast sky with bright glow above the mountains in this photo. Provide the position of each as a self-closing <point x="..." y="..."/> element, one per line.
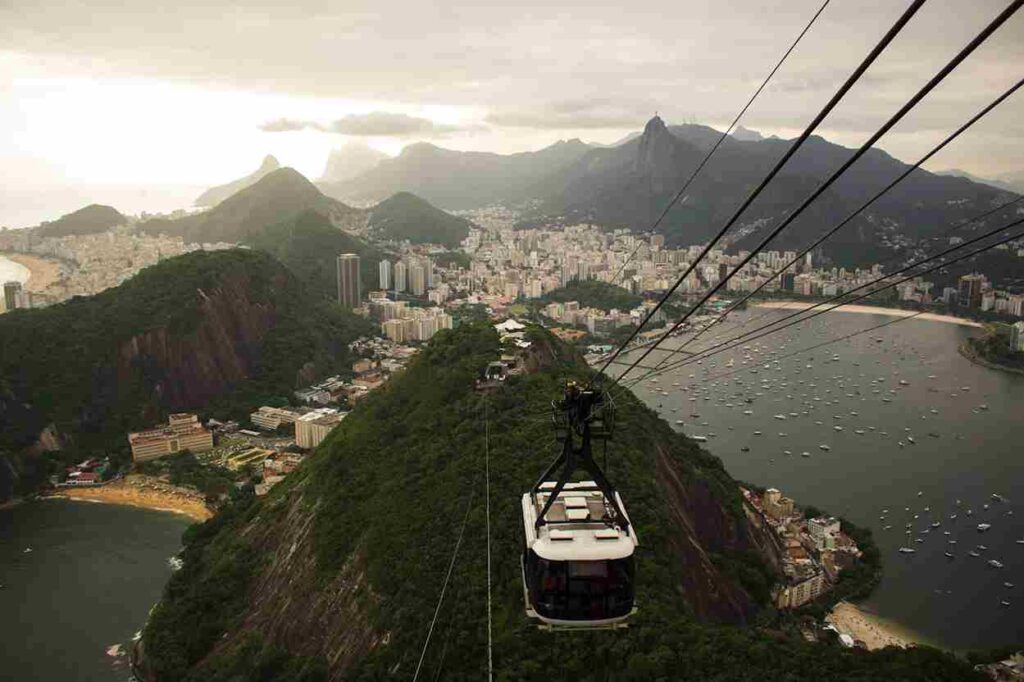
<point x="197" y="92"/>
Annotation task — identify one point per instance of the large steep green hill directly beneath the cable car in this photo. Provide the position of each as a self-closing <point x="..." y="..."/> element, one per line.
<point x="336" y="574"/>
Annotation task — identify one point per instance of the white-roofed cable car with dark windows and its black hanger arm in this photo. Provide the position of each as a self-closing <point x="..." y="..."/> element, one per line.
<point x="578" y="566"/>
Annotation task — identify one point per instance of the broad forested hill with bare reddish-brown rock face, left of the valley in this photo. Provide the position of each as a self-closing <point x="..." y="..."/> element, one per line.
<point x="222" y="330"/>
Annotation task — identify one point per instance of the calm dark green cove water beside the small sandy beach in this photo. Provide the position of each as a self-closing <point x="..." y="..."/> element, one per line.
<point x="92" y="577"/>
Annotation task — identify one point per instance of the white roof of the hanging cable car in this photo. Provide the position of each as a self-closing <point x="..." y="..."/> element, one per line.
<point x="575" y="531"/>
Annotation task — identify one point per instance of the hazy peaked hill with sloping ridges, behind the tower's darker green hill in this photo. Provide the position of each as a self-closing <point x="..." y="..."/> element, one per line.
<point x="282" y="195"/>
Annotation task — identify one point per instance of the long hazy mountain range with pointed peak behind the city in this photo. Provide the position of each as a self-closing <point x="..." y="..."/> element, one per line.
<point x="629" y="185"/>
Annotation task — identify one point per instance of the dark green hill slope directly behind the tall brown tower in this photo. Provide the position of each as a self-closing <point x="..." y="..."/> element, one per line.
<point x="310" y="245"/>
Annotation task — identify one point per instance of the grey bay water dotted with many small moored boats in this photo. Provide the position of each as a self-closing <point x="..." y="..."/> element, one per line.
<point x="964" y="454"/>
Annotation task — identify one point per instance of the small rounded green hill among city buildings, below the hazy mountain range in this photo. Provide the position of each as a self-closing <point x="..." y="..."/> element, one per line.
<point x="406" y="217"/>
